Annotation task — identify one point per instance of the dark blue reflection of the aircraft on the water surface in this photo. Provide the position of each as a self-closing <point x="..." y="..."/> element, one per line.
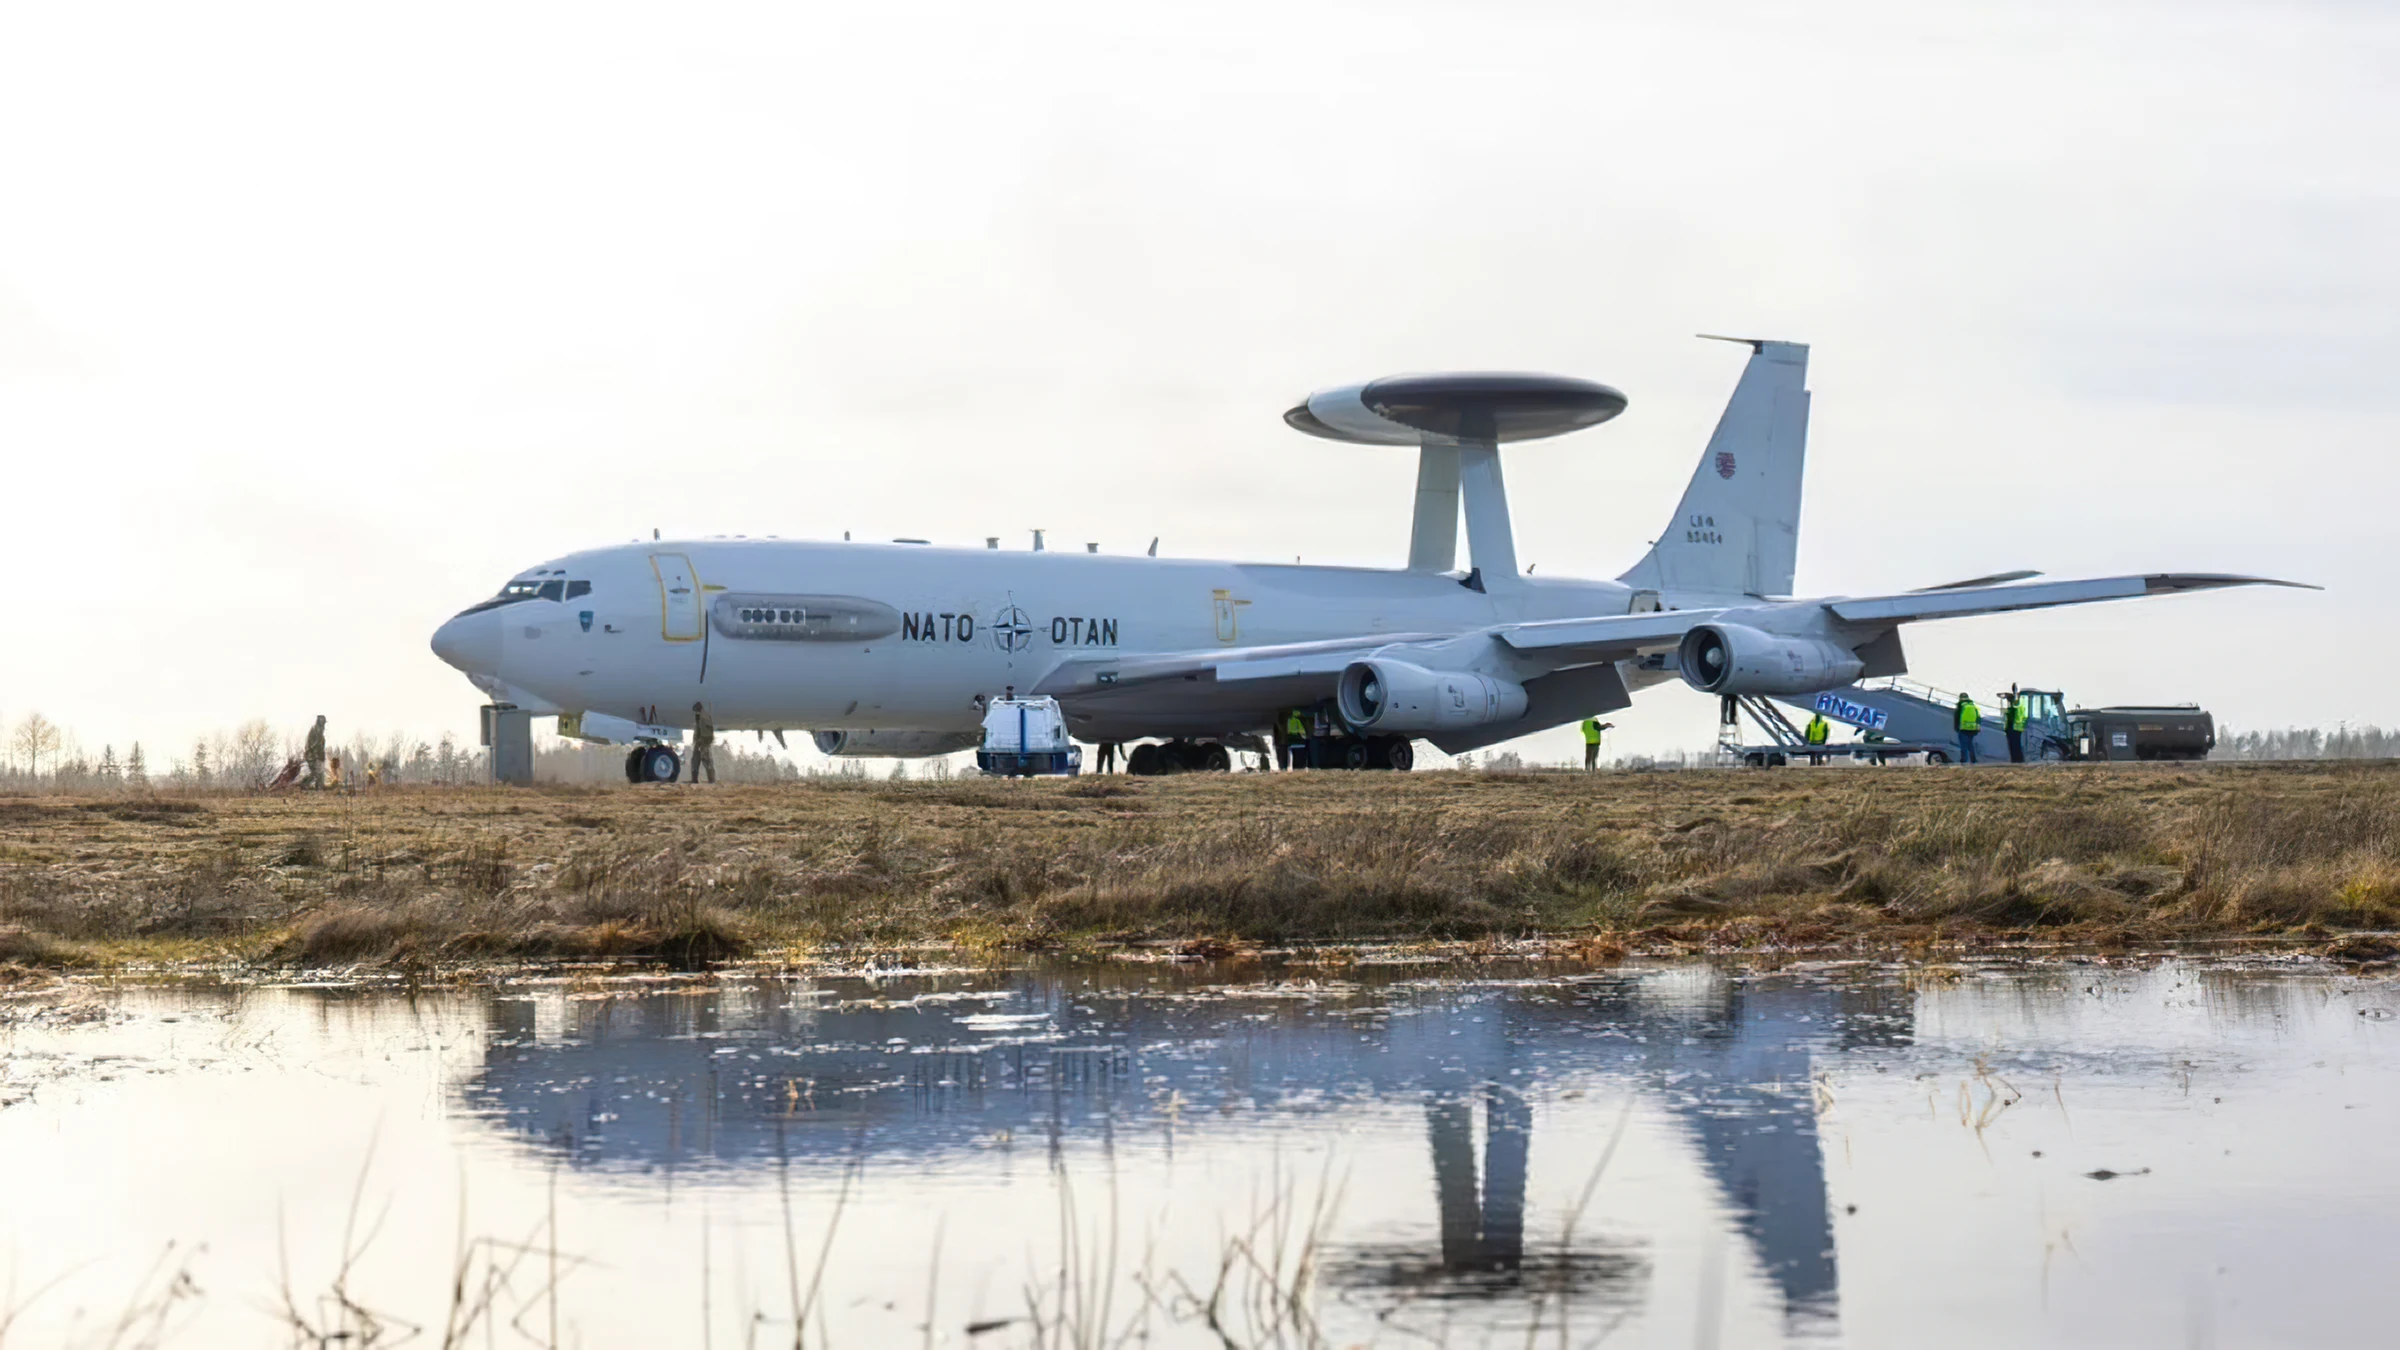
<point x="916" y="1070"/>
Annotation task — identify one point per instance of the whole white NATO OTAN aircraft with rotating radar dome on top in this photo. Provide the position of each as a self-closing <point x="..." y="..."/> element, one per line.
<point x="896" y="647"/>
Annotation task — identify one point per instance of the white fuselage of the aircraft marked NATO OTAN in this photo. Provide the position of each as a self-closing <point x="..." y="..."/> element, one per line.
<point x="666" y="626"/>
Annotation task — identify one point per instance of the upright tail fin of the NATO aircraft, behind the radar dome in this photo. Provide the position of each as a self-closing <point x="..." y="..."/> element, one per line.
<point x="1739" y="525"/>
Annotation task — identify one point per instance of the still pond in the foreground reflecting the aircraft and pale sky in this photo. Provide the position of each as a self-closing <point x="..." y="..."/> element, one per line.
<point x="2135" y="1152"/>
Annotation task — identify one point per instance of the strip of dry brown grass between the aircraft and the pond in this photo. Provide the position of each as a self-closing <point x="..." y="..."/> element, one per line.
<point x="1794" y="859"/>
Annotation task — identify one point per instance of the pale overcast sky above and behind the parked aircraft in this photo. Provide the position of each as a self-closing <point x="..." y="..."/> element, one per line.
<point x="320" y="321"/>
